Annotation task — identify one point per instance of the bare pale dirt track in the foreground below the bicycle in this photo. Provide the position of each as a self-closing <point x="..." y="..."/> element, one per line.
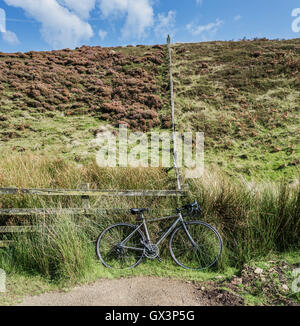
<point x="141" y="291"/>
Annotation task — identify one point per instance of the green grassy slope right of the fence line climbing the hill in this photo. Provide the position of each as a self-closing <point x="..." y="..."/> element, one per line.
<point x="244" y="96"/>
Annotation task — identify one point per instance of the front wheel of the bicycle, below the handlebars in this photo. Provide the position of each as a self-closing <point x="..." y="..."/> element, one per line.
<point x="197" y="247"/>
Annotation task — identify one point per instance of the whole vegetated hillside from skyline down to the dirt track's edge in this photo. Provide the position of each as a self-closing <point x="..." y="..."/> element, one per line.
<point x="244" y="95"/>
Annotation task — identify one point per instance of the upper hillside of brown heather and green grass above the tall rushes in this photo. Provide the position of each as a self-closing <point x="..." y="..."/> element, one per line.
<point x="244" y="95"/>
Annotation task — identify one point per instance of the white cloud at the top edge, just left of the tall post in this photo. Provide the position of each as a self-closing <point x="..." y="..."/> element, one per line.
<point x="139" y="15"/>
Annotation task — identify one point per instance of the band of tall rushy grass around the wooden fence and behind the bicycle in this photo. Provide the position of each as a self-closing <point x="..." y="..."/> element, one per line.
<point x="253" y="219"/>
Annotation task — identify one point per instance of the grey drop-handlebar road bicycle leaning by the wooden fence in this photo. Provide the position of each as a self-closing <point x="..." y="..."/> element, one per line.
<point x="194" y="245"/>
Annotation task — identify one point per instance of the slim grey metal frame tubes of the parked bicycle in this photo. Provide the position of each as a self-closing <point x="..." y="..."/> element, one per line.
<point x="165" y="235"/>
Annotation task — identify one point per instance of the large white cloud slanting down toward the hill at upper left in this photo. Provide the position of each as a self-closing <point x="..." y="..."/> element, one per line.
<point x="60" y="26"/>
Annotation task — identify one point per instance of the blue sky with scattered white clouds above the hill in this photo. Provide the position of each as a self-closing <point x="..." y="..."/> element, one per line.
<point x="42" y="25"/>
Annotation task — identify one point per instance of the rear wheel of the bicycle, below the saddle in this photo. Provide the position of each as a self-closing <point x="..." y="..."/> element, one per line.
<point x="113" y="254"/>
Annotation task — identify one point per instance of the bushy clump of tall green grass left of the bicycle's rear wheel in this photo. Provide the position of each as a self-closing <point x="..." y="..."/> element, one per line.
<point x="59" y="250"/>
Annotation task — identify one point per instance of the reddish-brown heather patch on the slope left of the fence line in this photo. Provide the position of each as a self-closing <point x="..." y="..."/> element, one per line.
<point x="114" y="85"/>
